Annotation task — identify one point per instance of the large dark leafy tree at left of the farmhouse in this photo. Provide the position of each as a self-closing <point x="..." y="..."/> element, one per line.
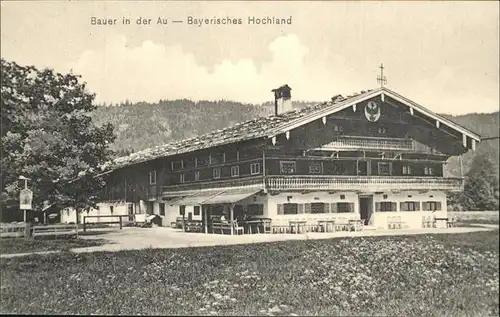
<point x="48" y="136"/>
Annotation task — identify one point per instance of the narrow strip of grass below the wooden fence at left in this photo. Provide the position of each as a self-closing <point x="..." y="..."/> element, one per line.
<point x="10" y="246"/>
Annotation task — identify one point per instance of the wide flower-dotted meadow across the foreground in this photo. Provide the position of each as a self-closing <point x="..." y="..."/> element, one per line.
<point x="424" y="275"/>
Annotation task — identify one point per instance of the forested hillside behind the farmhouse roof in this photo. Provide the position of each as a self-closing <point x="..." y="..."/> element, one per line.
<point x="142" y="125"/>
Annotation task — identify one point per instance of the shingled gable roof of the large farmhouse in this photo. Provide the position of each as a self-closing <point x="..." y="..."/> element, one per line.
<point x="269" y="126"/>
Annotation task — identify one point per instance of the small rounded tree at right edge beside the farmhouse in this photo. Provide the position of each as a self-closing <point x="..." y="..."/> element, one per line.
<point x="481" y="190"/>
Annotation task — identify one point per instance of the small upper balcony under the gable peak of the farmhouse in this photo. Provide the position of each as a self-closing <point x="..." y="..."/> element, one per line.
<point x="375" y="143"/>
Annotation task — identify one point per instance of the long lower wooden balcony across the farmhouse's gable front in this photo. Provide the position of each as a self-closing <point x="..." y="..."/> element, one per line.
<point x="362" y="183"/>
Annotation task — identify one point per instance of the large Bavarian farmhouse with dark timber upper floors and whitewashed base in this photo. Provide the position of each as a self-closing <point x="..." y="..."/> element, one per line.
<point x="375" y="156"/>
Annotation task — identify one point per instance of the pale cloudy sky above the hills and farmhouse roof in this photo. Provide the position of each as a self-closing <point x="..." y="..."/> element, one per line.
<point x="442" y="55"/>
